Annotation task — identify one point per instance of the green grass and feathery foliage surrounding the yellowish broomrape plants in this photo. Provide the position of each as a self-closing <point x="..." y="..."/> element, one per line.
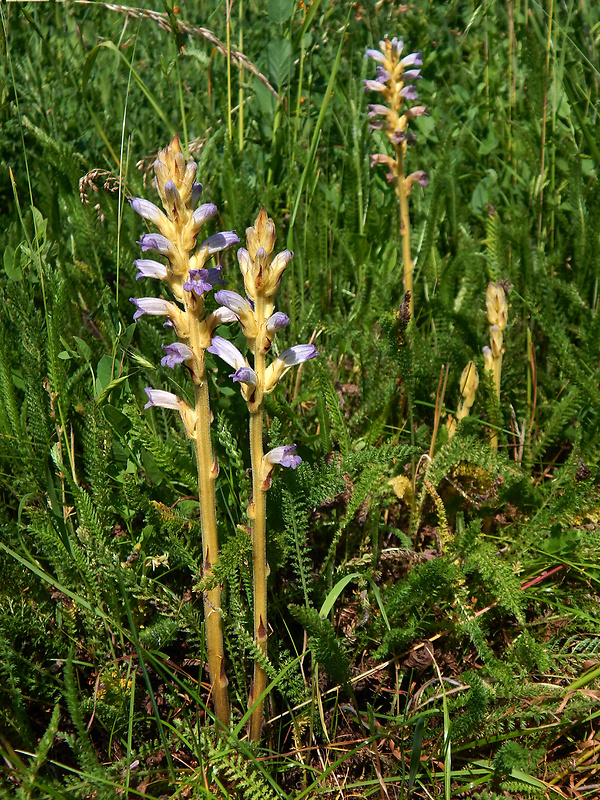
<point x="434" y="636"/>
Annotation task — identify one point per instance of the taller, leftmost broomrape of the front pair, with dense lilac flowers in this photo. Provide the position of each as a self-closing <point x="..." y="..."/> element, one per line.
<point x="188" y="276"/>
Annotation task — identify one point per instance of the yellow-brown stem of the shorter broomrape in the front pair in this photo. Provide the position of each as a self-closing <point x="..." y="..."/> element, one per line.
<point x="259" y="538"/>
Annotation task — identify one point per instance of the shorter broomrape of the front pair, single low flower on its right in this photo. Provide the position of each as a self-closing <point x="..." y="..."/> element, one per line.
<point x="262" y="272"/>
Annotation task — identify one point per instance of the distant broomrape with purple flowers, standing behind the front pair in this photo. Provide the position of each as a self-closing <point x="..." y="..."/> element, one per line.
<point x="391" y="114"/>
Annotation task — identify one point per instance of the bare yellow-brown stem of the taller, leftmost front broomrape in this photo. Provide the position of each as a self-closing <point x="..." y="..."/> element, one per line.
<point x="207" y="473"/>
